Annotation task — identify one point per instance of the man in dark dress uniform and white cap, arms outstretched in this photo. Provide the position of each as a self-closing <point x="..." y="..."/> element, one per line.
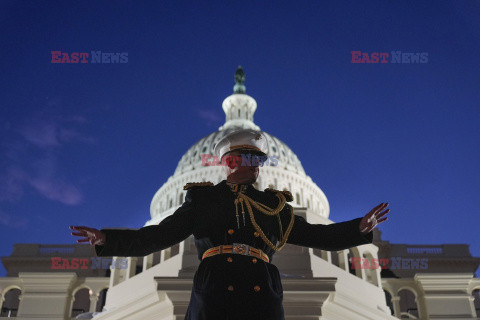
<point x="237" y="230"/>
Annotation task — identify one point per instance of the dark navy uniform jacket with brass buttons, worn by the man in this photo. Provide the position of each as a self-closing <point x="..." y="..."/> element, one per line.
<point x="224" y="288"/>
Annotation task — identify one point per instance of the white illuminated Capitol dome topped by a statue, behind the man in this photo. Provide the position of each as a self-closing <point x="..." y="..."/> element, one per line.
<point x="288" y="174"/>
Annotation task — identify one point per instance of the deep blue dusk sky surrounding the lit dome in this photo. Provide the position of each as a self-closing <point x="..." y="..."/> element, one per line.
<point x="90" y="144"/>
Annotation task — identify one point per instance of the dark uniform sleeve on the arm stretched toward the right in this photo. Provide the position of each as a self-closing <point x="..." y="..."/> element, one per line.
<point x="332" y="237"/>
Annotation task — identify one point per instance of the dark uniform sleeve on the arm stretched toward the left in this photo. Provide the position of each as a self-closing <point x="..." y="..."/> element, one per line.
<point x="144" y="241"/>
